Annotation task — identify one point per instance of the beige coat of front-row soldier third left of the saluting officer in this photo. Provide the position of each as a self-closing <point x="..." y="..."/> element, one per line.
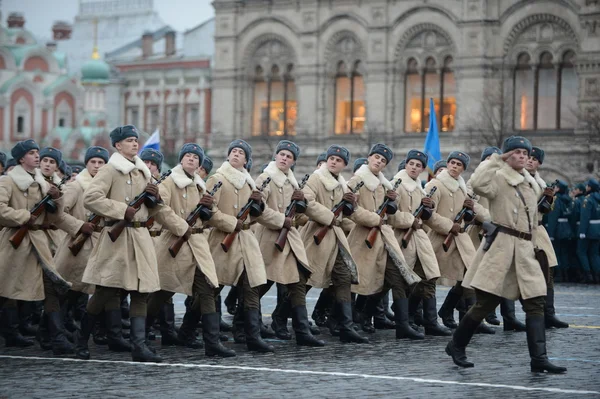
<point x="372" y="262"/>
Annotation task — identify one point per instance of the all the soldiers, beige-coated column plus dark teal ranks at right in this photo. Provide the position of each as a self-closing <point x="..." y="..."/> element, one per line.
<point x="99" y="252"/>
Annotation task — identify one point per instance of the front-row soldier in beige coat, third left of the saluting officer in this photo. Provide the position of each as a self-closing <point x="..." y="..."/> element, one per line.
<point x="382" y="267"/>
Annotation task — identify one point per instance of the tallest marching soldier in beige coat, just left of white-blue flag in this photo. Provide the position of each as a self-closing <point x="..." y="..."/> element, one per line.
<point x="125" y="264"/>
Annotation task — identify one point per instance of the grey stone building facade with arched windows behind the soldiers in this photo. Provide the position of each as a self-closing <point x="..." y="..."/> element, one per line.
<point x="356" y="72"/>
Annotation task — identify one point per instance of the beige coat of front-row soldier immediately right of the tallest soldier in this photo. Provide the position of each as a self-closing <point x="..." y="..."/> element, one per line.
<point x="181" y="195"/>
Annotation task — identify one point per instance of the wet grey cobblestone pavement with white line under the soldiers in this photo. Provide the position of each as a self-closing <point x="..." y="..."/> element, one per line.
<point x="386" y="367"/>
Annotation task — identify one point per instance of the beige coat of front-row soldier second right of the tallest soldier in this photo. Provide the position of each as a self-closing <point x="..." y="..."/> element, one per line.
<point x="244" y="253"/>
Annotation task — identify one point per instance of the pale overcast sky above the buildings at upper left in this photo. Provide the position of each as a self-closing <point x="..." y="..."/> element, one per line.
<point x="41" y="14"/>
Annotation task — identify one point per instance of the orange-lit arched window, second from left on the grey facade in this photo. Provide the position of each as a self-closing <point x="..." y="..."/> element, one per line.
<point x="350" y="111"/>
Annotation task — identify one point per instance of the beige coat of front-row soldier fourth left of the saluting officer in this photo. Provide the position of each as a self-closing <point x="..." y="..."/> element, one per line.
<point x="322" y="192"/>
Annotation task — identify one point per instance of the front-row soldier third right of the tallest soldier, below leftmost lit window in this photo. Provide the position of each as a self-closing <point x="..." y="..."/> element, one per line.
<point x="289" y="267"/>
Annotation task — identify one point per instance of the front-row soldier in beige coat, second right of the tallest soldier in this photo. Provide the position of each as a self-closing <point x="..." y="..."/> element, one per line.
<point x="242" y="264"/>
